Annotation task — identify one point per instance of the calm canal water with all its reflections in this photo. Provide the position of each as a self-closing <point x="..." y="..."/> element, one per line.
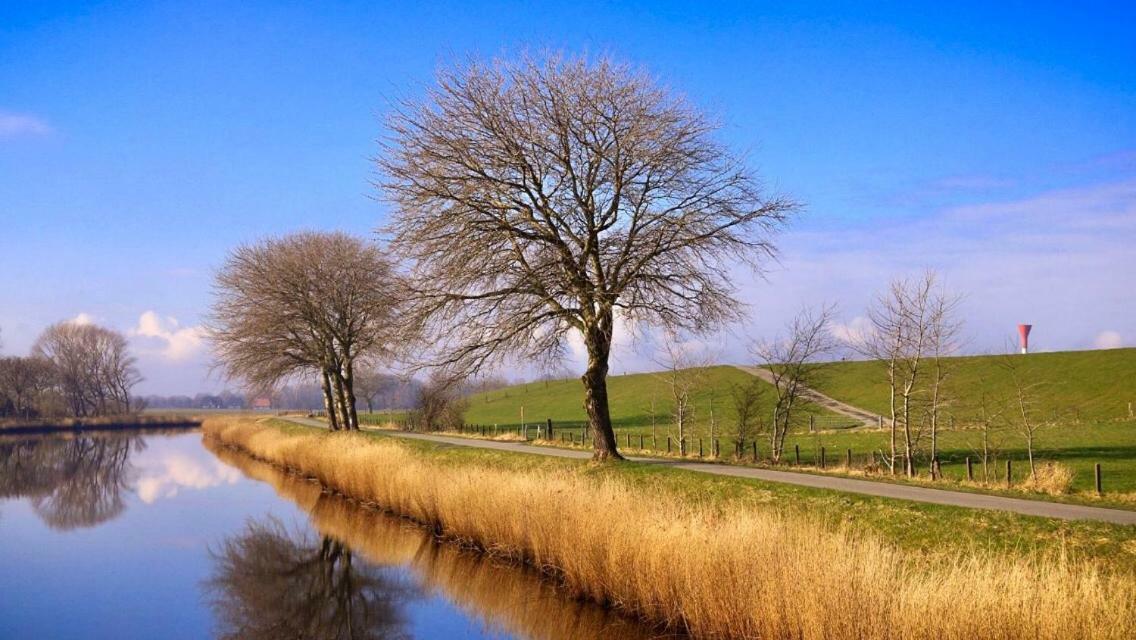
<point x="165" y="537"/>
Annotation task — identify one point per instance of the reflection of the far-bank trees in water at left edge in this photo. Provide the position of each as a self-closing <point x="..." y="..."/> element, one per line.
<point x="71" y="481"/>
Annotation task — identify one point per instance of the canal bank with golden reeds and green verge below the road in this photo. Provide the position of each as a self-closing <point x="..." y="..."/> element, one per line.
<point x="689" y="555"/>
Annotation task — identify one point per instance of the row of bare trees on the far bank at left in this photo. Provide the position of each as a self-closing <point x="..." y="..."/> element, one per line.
<point x="77" y="370"/>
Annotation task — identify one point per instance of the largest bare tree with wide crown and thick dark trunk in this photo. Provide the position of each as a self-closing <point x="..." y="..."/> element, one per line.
<point x="538" y="197"/>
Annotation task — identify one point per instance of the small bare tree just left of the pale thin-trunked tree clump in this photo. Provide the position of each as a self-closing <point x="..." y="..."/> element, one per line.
<point x="793" y="365"/>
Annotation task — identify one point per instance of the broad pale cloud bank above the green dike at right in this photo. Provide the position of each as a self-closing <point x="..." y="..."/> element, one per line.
<point x="1062" y="260"/>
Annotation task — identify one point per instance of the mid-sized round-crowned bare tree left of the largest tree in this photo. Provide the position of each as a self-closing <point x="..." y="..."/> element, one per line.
<point x="307" y="305"/>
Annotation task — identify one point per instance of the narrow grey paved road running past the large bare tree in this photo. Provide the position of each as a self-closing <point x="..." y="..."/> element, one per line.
<point x="833" y="483"/>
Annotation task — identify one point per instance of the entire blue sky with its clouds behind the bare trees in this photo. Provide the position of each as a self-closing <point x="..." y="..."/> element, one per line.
<point x="996" y="143"/>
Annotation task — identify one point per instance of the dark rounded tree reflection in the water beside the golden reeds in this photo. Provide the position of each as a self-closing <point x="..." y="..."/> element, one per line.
<point x="270" y="584"/>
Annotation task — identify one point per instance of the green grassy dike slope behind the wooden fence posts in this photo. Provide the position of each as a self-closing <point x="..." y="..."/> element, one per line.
<point x="1081" y="396"/>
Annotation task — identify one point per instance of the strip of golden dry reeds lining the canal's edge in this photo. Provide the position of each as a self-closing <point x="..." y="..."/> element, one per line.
<point x="829" y="585"/>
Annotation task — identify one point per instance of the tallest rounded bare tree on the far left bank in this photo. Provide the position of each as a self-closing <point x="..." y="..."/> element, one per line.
<point x="93" y="368"/>
